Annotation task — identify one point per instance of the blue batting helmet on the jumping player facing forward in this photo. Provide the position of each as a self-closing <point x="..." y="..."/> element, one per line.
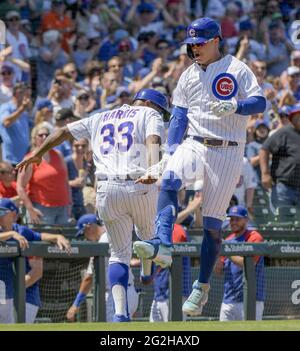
<point x="200" y="31"/>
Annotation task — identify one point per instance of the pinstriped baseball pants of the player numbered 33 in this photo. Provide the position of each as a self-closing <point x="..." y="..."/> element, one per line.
<point x="121" y="205"/>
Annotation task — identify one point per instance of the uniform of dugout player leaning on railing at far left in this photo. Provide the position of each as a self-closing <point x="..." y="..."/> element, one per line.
<point x="6" y="284"/>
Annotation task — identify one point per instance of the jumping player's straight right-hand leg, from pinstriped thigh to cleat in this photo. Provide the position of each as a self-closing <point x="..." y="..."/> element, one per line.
<point x="222" y="170"/>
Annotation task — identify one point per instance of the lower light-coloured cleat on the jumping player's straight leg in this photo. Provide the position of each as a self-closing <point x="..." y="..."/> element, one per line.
<point x="194" y="304"/>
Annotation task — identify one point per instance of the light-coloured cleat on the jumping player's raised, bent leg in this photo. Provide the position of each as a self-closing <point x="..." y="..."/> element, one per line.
<point x="144" y="249"/>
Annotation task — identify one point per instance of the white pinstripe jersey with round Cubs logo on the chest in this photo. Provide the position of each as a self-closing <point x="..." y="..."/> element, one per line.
<point x="224" y="79"/>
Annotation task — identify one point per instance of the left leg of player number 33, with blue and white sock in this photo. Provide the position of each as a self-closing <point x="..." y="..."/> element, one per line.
<point x="111" y="204"/>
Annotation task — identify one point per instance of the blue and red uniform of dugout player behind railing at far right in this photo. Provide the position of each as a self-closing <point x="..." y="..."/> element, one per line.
<point x="232" y="306"/>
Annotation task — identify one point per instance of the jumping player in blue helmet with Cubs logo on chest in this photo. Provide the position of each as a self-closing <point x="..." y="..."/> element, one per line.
<point x="211" y="102"/>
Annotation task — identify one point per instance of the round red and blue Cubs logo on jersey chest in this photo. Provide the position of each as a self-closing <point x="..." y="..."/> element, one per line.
<point x="224" y="86"/>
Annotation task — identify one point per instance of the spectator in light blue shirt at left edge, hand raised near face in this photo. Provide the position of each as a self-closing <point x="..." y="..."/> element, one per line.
<point x="15" y="125"/>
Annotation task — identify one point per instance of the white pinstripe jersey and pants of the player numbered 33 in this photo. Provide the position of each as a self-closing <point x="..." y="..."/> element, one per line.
<point x="118" y="143"/>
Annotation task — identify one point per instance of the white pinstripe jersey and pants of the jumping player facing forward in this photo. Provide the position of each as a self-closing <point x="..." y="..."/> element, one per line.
<point x="219" y="167"/>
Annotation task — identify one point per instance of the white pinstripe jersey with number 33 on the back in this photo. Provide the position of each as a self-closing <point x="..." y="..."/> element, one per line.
<point x="118" y="138"/>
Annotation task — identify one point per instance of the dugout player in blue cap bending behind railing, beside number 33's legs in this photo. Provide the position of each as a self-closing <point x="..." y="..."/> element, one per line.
<point x="93" y="229"/>
